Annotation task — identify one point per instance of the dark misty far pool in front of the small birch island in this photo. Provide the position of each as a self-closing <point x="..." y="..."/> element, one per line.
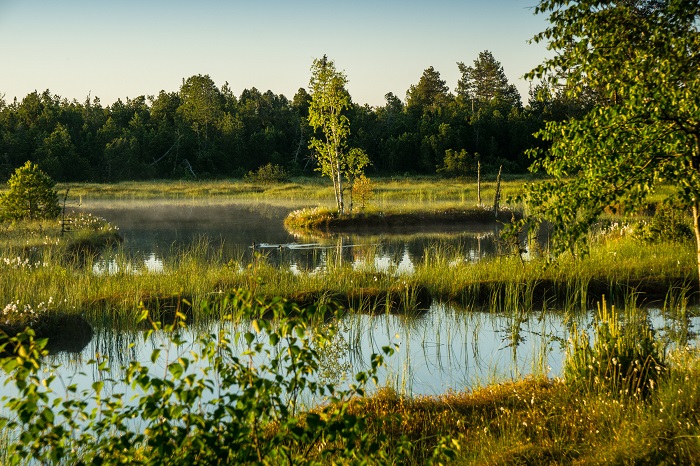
<point x="154" y="230"/>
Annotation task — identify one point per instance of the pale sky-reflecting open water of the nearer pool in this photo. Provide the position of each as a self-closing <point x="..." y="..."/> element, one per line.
<point x="440" y="350"/>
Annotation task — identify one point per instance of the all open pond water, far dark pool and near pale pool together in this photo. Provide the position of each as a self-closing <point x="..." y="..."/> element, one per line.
<point x="439" y="350"/>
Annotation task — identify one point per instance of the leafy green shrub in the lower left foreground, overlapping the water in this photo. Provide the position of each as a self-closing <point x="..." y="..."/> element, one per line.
<point x="225" y="399"/>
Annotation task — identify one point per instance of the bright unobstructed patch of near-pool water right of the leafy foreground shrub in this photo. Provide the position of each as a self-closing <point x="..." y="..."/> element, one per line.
<point x="457" y="350"/>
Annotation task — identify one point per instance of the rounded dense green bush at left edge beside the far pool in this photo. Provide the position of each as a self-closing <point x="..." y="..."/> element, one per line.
<point x="30" y="195"/>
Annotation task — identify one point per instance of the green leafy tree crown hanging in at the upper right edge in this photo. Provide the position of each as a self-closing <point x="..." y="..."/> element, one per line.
<point x="640" y="60"/>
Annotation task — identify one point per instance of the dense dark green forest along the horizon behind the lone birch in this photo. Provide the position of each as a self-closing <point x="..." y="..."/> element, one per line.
<point x="204" y="131"/>
